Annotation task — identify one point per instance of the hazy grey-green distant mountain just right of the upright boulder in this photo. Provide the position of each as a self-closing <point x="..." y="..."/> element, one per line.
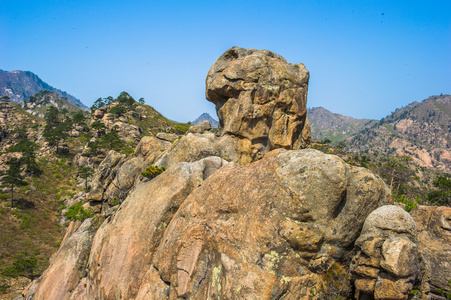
<point x="332" y="126"/>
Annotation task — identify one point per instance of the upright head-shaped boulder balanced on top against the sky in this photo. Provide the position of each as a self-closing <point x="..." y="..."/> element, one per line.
<point x="261" y="100"/>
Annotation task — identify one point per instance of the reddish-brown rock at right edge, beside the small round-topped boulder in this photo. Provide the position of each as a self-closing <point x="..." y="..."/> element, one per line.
<point x="434" y="240"/>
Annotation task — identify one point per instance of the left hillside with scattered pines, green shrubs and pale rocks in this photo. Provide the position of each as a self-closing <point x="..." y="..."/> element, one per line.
<point x="54" y="157"/>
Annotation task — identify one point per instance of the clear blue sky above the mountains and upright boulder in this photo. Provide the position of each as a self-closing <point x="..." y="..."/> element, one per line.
<point x="366" y="58"/>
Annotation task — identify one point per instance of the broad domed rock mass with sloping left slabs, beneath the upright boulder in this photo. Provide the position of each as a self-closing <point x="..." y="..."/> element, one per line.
<point x="215" y="229"/>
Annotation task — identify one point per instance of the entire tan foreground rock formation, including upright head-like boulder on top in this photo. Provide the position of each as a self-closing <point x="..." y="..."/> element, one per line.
<point x="296" y="224"/>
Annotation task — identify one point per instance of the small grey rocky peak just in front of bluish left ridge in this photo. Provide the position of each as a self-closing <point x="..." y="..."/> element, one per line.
<point x="38" y="103"/>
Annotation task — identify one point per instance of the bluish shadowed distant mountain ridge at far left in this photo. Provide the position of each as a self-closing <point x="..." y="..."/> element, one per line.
<point x="20" y="85"/>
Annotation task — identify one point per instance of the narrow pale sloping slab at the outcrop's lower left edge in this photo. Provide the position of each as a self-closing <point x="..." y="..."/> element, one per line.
<point x="67" y="265"/>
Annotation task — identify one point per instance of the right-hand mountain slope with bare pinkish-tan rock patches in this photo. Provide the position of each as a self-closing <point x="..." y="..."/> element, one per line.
<point x="421" y="130"/>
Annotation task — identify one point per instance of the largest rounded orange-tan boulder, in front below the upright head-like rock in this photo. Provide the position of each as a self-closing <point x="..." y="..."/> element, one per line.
<point x="243" y="234"/>
